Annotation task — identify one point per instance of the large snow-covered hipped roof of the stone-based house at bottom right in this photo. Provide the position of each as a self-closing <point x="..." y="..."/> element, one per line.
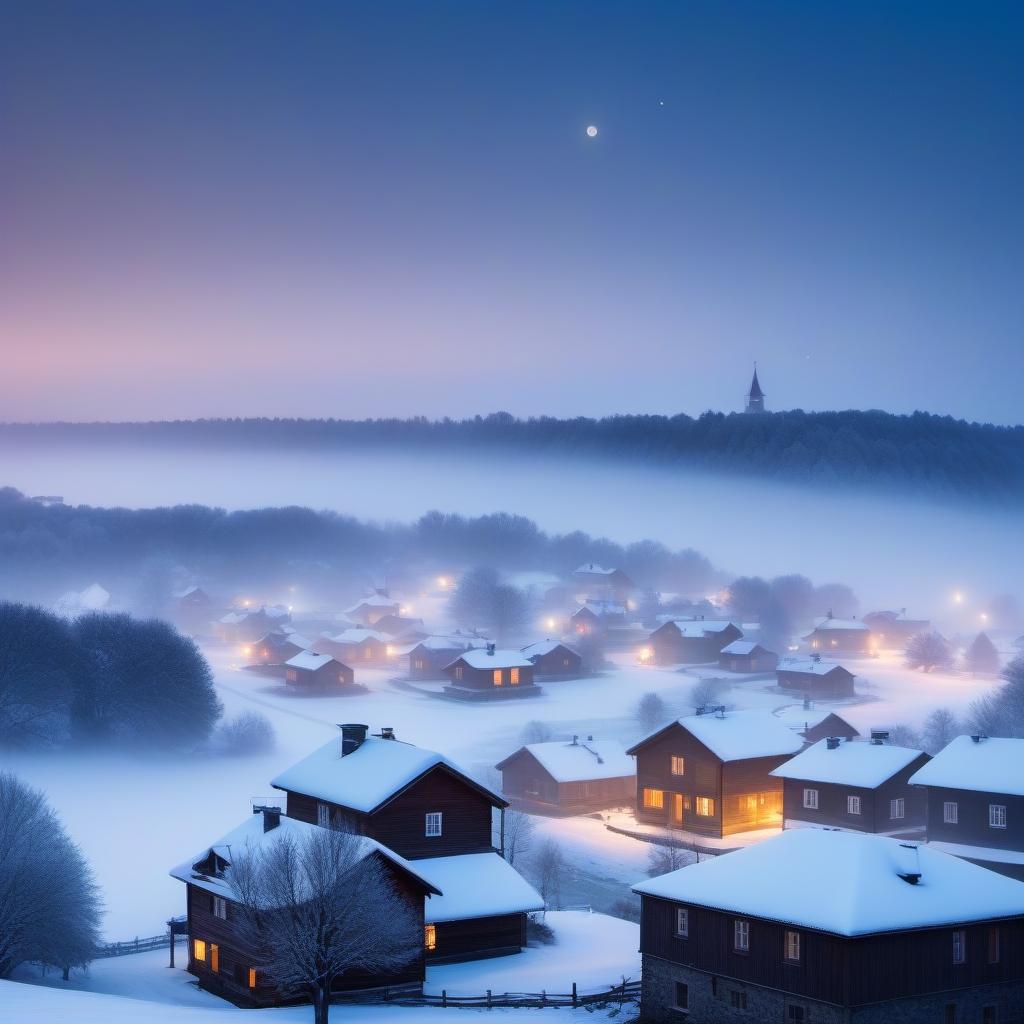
<point x="845" y="883"/>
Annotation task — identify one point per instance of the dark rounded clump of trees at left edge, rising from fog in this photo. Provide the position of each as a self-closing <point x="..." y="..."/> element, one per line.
<point x="101" y="681"/>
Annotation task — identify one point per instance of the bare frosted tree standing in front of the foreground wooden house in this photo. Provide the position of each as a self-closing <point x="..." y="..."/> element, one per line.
<point x="321" y="908"/>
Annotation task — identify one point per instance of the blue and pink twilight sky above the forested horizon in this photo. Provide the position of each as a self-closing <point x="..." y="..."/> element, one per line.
<point x="355" y="209"/>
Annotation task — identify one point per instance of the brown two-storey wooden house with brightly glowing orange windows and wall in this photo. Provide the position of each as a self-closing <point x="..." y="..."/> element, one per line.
<point x="711" y="774"/>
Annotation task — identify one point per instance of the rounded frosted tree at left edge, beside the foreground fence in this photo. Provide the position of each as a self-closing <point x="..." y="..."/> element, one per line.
<point x="50" y="903"/>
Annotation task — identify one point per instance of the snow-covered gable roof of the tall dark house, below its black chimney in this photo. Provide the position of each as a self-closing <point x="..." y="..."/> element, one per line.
<point x="369" y="777"/>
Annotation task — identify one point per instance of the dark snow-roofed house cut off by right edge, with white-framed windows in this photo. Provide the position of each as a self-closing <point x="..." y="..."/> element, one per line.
<point x="975" y="791"/>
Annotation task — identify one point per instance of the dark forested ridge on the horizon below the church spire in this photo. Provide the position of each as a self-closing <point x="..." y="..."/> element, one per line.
<point x="922" y="452"/>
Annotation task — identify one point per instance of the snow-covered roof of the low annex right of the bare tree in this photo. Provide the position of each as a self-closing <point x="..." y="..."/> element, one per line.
<point x="477" y="885"/>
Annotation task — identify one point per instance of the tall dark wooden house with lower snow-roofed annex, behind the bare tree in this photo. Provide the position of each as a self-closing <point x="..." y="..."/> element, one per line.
<point x="426" y="809"/>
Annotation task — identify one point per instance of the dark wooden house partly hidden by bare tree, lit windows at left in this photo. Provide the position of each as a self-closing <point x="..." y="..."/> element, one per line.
<point x="220" y="952"/>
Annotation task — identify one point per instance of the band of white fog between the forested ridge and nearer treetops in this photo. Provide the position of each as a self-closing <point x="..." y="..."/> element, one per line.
<point x="894" y="551"/>
